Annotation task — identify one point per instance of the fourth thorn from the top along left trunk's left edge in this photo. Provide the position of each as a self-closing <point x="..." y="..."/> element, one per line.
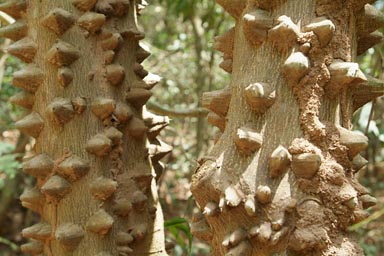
<point x="29" y="78"/>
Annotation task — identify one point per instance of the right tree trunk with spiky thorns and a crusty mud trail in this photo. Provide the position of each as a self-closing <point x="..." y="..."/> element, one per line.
<point x="281" y="178"/>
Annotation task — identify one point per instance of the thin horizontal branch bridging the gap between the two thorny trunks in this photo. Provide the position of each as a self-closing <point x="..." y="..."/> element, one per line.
<point x="160" y="110"/>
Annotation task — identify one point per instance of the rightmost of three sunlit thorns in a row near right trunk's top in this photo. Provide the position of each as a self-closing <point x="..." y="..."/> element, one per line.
<point x="323" y="28"/>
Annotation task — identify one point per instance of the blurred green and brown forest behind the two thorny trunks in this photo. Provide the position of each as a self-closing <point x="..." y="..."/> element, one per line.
<point x="179" y="34"/>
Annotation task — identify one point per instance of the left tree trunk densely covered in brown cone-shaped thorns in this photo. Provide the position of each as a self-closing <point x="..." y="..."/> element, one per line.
<point x="85" y="89"/>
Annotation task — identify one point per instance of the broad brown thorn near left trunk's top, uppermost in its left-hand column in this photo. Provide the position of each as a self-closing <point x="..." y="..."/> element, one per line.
<point x="58" y="20"/>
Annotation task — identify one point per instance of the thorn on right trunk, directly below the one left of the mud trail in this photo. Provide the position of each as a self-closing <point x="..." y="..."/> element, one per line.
<point x="248" y="140"/>
